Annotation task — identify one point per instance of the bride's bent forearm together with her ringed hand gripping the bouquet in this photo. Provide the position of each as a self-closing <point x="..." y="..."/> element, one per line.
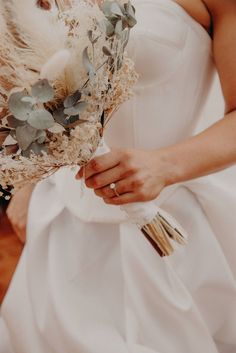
<point x="140" y="175"/>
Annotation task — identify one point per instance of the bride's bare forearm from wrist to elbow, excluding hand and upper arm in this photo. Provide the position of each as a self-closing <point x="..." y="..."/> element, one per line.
<point x="210" y="151"/>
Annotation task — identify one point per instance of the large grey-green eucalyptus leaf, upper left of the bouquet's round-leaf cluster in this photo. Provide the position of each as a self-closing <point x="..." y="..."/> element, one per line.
<point x="20" y="110"/>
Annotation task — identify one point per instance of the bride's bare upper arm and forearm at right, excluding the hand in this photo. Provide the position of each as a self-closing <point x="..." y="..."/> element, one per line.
<point x="215" y="148"/>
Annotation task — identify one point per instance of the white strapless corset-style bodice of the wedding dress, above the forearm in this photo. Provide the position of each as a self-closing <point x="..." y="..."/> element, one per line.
<point x="172" y="55"/>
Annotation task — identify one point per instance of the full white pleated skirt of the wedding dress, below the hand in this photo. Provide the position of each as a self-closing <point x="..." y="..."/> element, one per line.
<point x="100" y="287"/>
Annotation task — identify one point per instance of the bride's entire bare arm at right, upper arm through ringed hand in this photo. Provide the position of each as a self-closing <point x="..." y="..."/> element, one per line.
<point x="141" y="175"/>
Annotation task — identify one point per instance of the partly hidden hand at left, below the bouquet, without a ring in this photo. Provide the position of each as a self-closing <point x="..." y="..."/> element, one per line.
<point x="17" y="211"/>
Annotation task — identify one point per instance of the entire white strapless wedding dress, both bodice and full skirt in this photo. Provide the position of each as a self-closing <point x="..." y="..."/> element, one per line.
<point x="88" y="281"/>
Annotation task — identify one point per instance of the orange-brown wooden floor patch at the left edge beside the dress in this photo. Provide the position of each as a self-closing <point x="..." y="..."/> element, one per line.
<point x="10" y="250"/>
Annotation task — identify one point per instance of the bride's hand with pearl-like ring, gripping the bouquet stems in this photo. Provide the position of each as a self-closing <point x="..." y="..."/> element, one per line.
<point x="138" y="175"/>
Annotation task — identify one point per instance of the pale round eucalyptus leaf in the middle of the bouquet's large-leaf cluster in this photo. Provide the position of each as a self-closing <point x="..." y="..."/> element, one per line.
<point x="41" y="119"/>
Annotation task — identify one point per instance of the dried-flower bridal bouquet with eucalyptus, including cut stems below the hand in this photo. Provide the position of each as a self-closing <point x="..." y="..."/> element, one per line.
<point x="63" y="73"/>
